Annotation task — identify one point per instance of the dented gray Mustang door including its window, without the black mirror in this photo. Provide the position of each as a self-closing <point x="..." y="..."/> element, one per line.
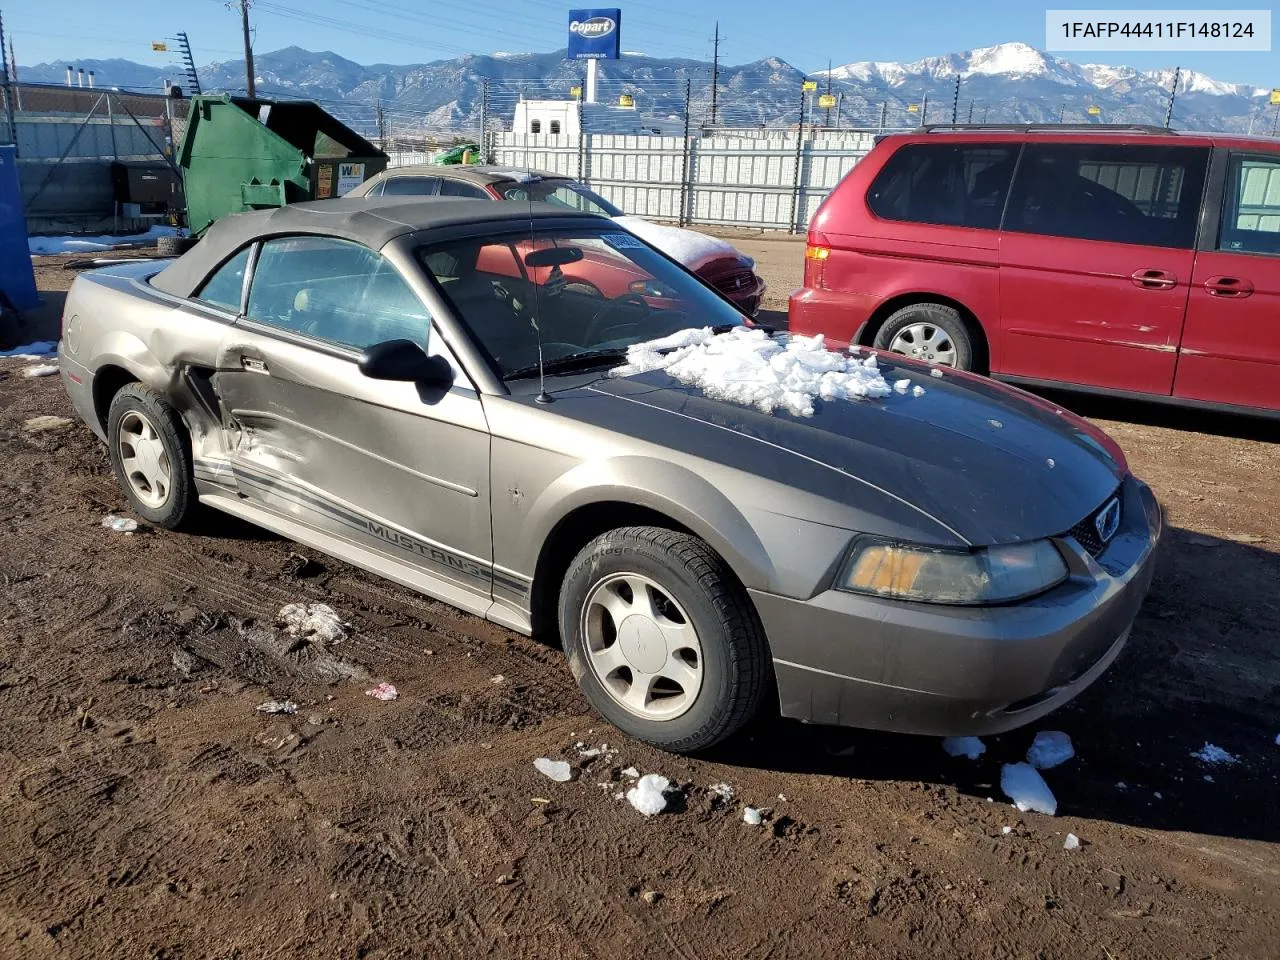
<point x="390" y="467"/>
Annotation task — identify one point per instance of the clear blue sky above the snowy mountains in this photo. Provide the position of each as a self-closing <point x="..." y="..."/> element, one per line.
<point x="415" y="31"/>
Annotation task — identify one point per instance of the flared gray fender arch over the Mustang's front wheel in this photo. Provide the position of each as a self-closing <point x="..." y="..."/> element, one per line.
<point x="674" y="491"/>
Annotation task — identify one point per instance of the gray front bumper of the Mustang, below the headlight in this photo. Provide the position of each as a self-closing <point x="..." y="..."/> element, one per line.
<point x="954" y="671"/>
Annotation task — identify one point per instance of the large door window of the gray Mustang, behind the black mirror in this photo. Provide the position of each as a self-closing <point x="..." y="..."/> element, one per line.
<point x="335" y="291"/>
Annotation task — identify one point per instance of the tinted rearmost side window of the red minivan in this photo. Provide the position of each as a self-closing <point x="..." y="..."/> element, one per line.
<point x="956" y="185"/>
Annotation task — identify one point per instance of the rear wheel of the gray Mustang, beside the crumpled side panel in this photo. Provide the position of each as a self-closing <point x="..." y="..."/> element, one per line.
<point x="152" y="456"/>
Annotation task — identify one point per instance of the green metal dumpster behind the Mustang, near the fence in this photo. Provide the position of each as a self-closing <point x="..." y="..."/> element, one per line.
<point x="241" y="154"/>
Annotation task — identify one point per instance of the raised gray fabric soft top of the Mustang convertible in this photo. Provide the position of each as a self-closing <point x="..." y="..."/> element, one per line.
<point x="371" y="221"/>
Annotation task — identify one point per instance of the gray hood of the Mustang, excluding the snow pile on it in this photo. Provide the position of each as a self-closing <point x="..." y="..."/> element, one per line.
<point x="985" y="463"/>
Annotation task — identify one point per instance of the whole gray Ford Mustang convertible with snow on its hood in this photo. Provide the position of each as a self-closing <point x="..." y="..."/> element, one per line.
<point x="708" y="514"/>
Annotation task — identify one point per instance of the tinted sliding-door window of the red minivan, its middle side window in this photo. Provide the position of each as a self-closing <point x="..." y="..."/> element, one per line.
<point x="1114" y="193"/>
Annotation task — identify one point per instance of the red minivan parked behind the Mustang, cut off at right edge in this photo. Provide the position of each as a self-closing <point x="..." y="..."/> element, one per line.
<point x="1127" y="260"/>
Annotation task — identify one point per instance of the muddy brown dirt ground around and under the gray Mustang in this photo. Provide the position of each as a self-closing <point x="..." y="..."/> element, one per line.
<point x="152" y="812"/>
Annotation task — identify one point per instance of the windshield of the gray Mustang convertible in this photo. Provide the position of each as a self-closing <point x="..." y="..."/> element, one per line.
<point x="588" y="291"/>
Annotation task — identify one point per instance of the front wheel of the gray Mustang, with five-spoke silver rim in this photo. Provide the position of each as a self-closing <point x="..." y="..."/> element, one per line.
<point x="662" y="639"/>
